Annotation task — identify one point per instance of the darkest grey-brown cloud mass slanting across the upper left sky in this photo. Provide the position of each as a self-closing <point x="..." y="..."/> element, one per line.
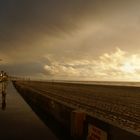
<point x="22" y="21"/>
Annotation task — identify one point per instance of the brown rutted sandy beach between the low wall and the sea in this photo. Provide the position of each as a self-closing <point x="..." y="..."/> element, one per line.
<point x="117" y="105"/>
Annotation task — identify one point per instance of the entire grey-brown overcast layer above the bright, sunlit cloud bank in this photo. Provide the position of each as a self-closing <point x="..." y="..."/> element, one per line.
<point x="67" y="30"/>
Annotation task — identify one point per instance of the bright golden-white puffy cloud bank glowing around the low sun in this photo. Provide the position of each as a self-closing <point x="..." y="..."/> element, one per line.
<point x="118" y="65"/>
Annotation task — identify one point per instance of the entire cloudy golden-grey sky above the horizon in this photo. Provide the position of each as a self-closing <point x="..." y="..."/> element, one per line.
<point x="71" y="39"/>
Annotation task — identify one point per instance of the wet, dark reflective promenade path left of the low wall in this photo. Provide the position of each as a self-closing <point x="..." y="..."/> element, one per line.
<point x="18" y="121"/>
